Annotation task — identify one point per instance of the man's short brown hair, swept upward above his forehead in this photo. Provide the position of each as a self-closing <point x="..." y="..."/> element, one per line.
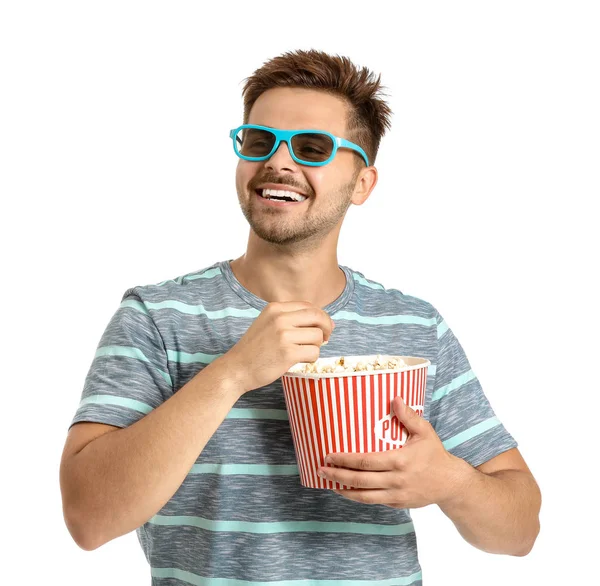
<point x="369" y="114"/>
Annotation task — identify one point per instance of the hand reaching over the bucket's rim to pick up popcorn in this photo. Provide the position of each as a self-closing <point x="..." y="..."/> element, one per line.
<point x="283" y="334"/>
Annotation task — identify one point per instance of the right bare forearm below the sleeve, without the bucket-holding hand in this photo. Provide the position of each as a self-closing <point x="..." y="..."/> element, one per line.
<point x="497" y="513"/>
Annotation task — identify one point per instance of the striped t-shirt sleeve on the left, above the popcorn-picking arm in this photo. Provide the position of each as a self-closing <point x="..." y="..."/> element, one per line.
<point x="129" y="375"/>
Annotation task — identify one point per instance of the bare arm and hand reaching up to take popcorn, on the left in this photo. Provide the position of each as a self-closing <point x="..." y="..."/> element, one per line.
<point x="113" y="481"/>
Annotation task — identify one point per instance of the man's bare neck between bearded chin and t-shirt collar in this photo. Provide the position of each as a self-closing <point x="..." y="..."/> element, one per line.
<point x="276" y="274"/>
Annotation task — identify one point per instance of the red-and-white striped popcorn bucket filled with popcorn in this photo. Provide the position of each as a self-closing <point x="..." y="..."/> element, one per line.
<point x="349" y="411"/>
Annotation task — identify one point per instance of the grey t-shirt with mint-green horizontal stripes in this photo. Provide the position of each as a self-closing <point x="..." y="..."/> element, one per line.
<point x="241" y="516"/>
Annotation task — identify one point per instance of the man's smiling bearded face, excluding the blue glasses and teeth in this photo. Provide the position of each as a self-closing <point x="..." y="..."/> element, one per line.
<point x="328" y="188"/>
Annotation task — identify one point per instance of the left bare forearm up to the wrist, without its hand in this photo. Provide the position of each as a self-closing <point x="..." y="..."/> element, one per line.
<point x="123" y="478"/>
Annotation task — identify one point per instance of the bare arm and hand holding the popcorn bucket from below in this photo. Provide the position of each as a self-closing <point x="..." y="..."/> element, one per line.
<point x="495" y="506"/>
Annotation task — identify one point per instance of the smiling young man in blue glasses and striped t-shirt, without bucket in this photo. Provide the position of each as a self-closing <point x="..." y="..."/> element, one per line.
<point x="182" y="432"/>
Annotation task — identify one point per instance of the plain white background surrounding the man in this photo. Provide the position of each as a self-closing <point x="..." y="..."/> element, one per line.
<point x="116" y="170"/>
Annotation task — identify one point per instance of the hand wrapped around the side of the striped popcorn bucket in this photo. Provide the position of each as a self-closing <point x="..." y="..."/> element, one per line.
<point x="421" y="473"/>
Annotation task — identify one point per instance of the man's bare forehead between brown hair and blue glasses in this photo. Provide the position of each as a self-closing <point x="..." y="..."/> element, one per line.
<point x="300" y="108"/>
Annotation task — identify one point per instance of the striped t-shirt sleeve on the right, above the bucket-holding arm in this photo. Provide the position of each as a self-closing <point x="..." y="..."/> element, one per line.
<point x="460" y="412"/>
